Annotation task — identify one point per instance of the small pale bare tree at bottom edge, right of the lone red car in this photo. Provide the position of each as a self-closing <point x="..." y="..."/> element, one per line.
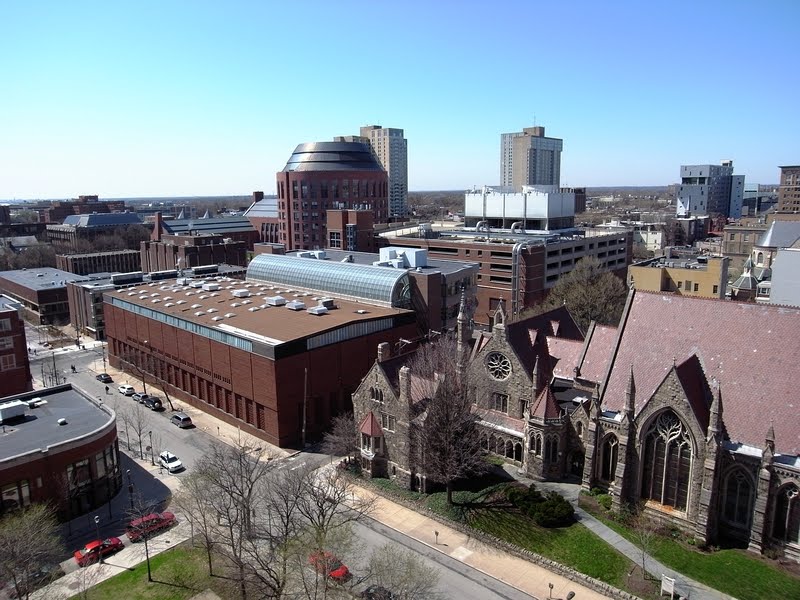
<point x="403" y="573"/>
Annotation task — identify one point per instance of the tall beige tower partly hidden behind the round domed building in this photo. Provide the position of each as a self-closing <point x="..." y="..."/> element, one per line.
<point x="391" y="148"/>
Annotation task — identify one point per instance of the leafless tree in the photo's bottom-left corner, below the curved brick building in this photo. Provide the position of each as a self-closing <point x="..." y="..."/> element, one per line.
<point x="29" y="542"/>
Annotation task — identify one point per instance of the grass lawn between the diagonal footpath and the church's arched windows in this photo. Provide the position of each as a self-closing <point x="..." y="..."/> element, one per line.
<point x="733" y="571"/>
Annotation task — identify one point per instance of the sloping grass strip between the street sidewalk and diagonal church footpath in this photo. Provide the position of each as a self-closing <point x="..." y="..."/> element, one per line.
<point x="571" y="551"/>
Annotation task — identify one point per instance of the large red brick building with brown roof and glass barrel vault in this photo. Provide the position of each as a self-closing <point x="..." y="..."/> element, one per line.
<point x="278" y="354"/>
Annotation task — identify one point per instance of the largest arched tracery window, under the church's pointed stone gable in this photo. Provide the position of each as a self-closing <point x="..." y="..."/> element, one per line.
<point x="667" y="461"/>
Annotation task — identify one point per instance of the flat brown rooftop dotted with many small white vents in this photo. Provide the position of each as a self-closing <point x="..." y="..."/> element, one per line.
<point x="250" y="318"/>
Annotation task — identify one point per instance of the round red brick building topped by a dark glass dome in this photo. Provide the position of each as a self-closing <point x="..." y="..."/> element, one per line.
<point x="322" y="176"/>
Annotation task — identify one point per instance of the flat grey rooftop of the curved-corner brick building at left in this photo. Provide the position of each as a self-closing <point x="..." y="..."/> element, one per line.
<point x="39" y="429"/>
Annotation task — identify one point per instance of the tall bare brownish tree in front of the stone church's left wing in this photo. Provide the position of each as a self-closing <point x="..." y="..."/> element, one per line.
<point x="445" y="431"/>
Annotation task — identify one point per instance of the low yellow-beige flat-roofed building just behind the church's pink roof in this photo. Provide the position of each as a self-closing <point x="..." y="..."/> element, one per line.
<point x="702" y="276"/>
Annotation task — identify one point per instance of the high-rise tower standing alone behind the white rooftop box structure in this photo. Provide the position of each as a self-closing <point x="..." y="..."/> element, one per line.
<point x="528" y="157"/>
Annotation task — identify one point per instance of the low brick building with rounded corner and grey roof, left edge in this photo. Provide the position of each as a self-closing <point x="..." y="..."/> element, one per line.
<point x="74" y="464"/>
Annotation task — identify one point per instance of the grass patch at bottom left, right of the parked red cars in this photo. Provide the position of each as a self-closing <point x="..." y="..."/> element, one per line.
<point x="178" y="574"/>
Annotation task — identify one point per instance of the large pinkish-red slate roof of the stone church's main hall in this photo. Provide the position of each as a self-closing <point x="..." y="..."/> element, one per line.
<point x="752" y="350"/>
